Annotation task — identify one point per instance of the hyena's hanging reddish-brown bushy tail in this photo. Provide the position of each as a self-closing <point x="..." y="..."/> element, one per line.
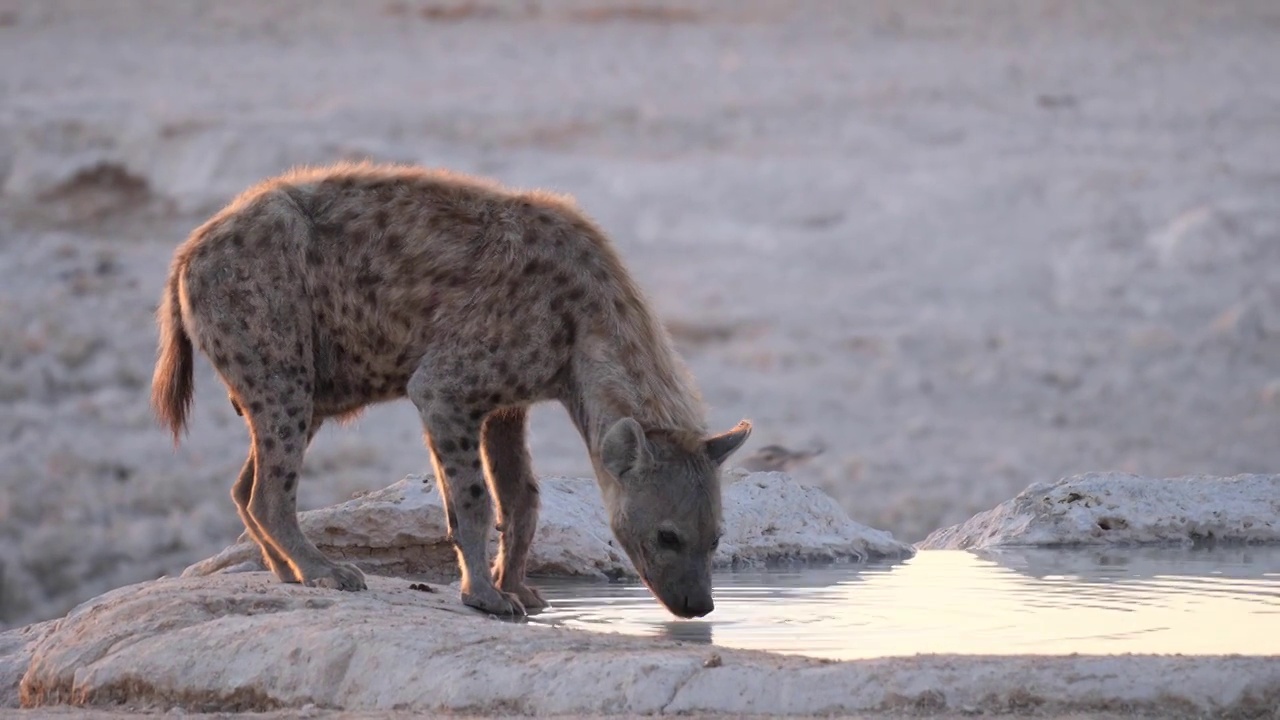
<point x="172" y="385"/>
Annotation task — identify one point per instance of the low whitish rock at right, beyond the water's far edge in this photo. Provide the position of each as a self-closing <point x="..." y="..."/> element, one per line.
<point x="1119" y="509"/>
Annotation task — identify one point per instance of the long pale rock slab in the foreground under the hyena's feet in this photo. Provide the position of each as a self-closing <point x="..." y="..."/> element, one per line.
<point x="245" y="642"/>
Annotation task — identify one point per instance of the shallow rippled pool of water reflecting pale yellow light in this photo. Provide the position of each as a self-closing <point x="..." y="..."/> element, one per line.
<point x="1036" y="601"/>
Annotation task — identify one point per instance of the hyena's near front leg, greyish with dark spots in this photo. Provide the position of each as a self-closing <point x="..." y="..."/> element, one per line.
<point x="454" y="438"/>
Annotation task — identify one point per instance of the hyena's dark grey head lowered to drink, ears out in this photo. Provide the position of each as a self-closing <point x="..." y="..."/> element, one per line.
<point x="665" y="509"/>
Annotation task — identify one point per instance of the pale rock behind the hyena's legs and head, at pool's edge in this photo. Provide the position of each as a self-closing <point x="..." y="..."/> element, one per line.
<point x="401" y="531"/>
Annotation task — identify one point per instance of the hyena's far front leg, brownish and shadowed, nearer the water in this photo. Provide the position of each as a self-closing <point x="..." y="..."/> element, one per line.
<point x="515" y="487"/>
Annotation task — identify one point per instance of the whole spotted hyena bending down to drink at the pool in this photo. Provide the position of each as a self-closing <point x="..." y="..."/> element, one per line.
<point x="326" y="290"/>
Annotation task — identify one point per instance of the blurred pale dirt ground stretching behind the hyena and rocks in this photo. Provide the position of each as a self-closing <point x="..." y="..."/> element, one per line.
<point x="966" y="245"/>
